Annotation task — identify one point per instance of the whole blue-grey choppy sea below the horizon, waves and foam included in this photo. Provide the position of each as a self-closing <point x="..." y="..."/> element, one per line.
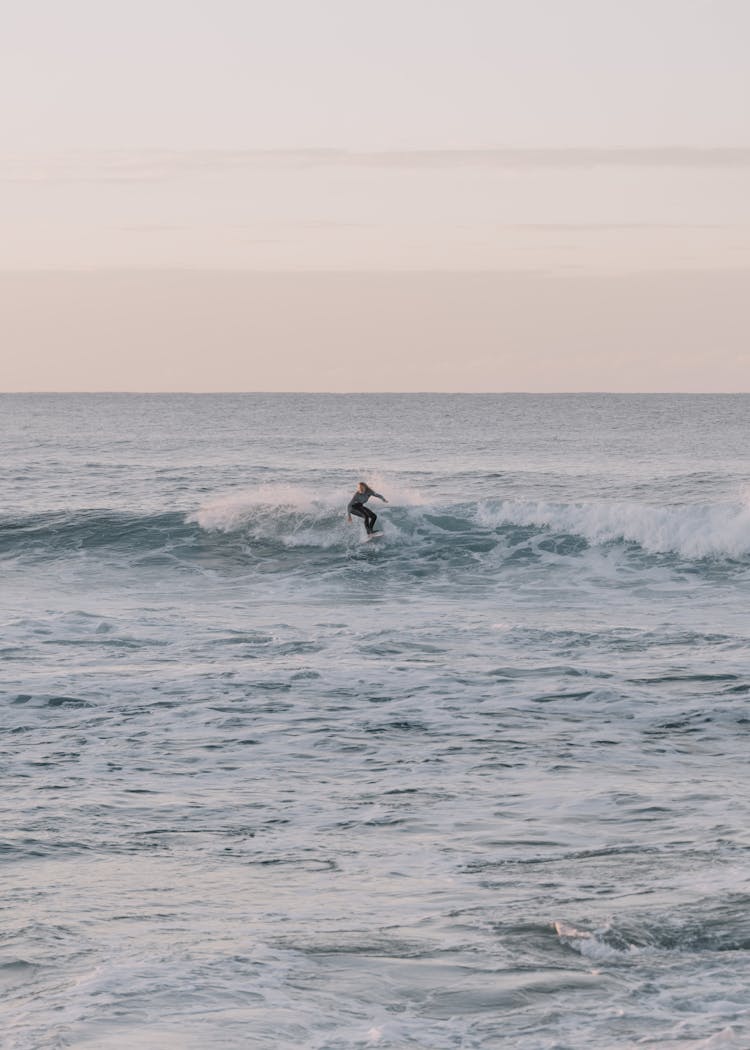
<point x="482" y="784"/>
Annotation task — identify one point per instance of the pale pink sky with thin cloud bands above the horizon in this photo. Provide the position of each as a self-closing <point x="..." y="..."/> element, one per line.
<point x="328" y="195"/>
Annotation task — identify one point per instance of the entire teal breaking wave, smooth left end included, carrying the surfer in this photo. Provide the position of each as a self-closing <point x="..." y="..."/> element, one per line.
<point x="258" y="523"/>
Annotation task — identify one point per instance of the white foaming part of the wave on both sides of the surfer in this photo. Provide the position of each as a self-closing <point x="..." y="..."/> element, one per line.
<point x="296" y="517"/>
